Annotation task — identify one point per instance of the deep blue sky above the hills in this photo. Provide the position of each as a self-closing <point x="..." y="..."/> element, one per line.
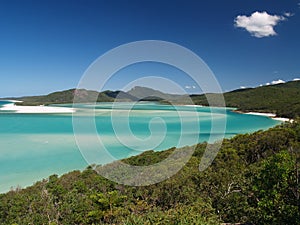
<point x="46" y="46"/>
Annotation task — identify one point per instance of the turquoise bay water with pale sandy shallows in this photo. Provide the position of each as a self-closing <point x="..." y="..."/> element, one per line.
<point x="34" y="146"/>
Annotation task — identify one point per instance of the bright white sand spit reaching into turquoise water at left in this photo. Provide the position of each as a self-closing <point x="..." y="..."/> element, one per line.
<point x="35" y="109"/>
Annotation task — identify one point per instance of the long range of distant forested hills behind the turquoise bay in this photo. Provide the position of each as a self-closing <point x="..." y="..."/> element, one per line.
<point x="282" y="99"/>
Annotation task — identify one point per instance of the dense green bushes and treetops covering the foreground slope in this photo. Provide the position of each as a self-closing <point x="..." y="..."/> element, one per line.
<point x="254" y="179"/>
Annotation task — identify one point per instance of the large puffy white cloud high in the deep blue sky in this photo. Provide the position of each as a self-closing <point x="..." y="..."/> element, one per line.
<point x="259" y="24"/>
